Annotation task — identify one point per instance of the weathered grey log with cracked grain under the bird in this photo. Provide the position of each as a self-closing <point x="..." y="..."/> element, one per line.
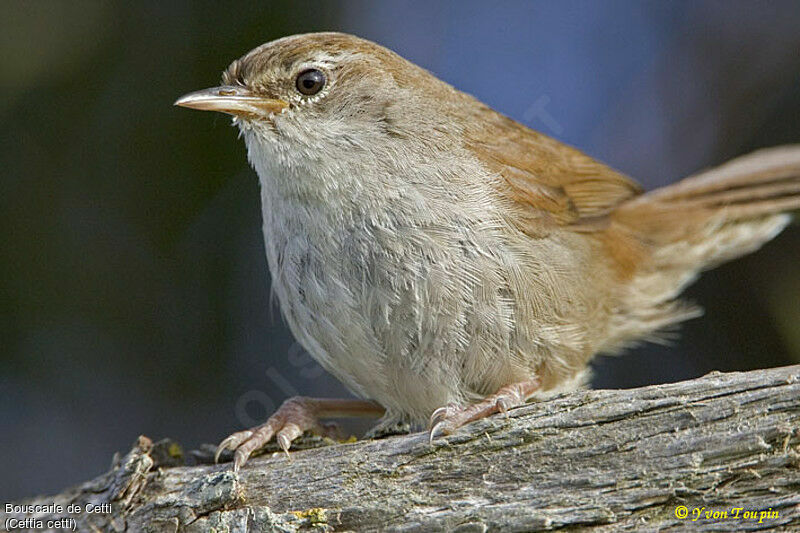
<point x="603" y="460"/>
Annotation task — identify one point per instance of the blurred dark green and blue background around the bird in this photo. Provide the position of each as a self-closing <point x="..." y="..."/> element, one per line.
<point x="134" y="293"/>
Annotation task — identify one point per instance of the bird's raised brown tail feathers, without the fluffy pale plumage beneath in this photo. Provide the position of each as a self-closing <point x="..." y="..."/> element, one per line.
<point x="721" y="213"/>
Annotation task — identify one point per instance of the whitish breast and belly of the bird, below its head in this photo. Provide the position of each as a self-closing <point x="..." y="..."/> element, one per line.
<point x="407" y="295"/>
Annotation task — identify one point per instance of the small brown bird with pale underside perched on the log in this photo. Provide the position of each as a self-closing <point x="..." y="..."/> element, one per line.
<point x="446" y="262"/>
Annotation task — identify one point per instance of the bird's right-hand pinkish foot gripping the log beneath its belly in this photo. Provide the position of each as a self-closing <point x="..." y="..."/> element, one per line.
<point x="447" y="419"/>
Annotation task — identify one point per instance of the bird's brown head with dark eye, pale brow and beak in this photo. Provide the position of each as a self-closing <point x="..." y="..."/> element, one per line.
<point x="323" y="93"/>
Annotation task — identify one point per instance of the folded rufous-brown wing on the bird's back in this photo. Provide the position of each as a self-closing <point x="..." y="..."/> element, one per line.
<point x="545" y="174"/>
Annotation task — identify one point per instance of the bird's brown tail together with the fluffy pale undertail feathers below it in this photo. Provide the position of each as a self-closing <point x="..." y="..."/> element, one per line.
<point x="700" y="222"/>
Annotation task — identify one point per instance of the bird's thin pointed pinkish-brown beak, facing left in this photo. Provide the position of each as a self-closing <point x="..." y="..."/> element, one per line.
<point x="232" y="100"/>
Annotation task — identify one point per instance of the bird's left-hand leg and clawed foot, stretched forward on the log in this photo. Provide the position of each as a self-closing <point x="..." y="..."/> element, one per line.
<point x="295" y="416"/>
